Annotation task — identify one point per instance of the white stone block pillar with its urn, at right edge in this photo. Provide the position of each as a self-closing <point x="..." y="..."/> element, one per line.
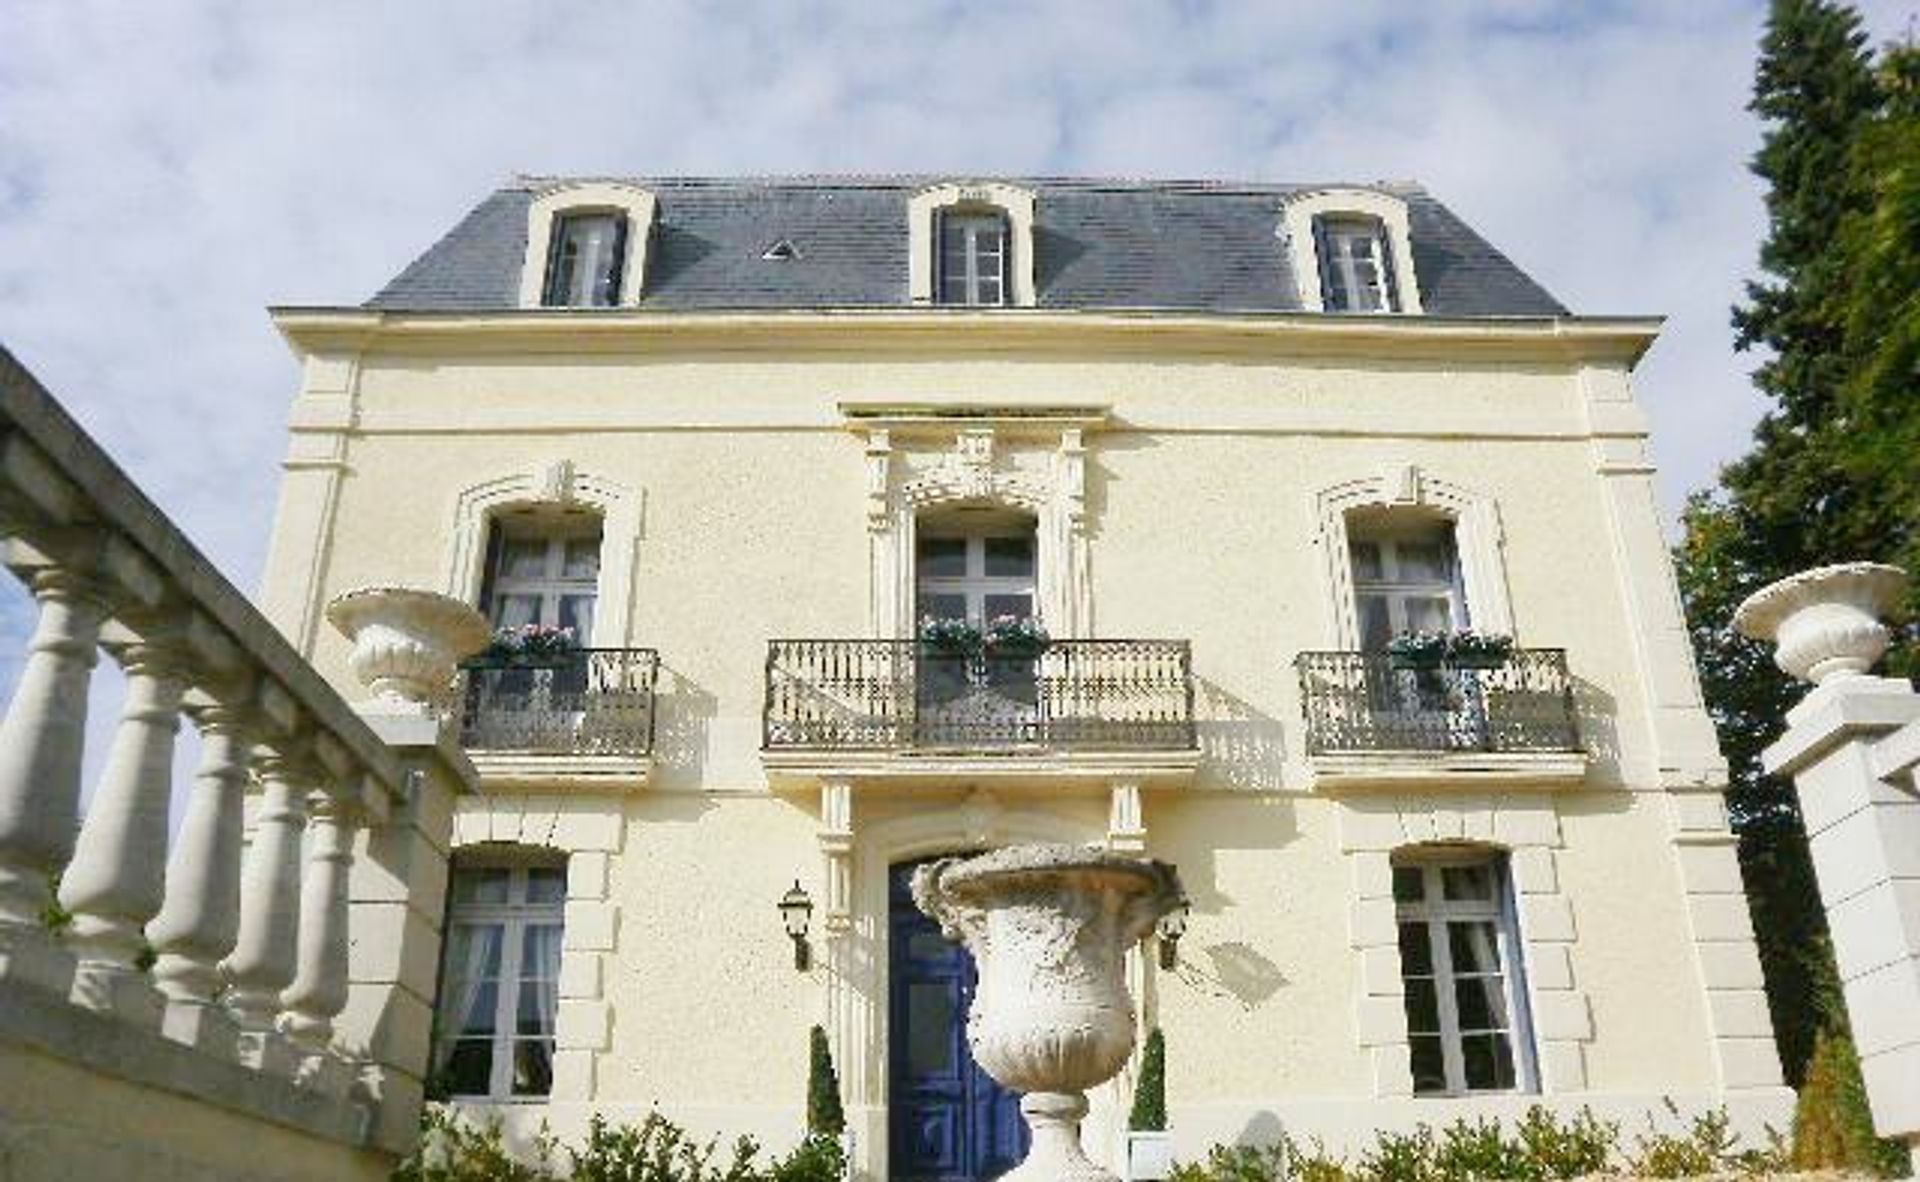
<point x="1861" y="809"/>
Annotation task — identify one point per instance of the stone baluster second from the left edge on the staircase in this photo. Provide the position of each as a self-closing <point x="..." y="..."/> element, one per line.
<point x="120" y="863"/>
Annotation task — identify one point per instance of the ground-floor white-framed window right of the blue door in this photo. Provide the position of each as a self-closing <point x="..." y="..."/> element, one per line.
<point x="1460" y="962"/>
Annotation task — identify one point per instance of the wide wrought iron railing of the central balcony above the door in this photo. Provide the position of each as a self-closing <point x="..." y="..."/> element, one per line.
<point x="900" y="696"/>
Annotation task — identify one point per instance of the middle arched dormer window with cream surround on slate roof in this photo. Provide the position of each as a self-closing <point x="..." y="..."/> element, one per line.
<point x="971" y="247"/>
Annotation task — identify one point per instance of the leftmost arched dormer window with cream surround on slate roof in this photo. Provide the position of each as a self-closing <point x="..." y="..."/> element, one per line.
<point x="587" y="247"/>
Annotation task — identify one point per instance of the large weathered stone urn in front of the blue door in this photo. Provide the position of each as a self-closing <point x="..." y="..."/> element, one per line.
<point x="1049" y="928"/>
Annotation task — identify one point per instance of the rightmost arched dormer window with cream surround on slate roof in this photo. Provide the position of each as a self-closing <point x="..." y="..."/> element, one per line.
<point x="1353" y="252"/>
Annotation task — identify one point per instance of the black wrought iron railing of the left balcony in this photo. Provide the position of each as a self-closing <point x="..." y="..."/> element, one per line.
<point x="587" y="703"/>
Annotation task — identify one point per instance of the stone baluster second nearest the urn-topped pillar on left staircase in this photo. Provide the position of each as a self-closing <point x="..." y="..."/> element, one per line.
<point x="264" y="958"/>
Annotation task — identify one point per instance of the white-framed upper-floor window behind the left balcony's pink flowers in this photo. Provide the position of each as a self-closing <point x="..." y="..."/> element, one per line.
<point x="544" y="569"/>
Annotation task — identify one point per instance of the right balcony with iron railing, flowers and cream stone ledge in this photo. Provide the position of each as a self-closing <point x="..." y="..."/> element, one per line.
<point x="1370" y="715"/>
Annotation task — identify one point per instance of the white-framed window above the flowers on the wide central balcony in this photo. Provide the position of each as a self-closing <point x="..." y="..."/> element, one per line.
<point x="974" y="573"/>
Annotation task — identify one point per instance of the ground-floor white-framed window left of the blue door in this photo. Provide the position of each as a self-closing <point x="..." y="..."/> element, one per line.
<point x="500" y="981"/>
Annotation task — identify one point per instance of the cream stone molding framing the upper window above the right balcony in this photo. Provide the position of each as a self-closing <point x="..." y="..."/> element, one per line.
<point x="1477" y="538"/>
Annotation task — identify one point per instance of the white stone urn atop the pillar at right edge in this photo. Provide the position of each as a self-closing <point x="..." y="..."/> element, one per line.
<point x="1825" y="623"/>
